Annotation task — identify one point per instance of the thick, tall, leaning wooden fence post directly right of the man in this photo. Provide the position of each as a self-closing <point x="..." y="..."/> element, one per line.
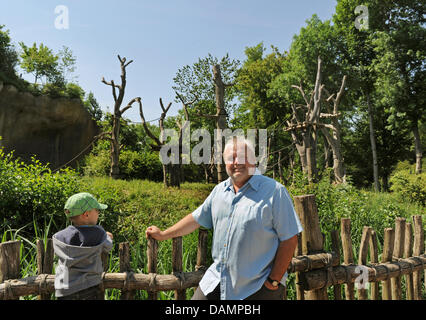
<point x="312" y="239"/>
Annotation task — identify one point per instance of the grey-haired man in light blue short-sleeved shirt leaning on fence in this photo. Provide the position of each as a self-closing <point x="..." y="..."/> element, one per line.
<point x="255" y="231"/>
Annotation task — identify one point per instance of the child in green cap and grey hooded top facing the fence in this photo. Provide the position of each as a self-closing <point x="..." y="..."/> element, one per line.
<point x="79" y="248"/>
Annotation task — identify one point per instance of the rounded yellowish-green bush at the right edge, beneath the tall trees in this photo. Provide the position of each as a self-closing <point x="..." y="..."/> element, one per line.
<point x="407" y="184"/>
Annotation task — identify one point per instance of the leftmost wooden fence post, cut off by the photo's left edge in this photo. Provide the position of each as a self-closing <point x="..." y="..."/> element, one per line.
<point x="10" y="264"/>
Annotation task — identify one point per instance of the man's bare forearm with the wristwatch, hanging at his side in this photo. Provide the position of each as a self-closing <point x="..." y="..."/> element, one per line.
<point x="282" y="260"/>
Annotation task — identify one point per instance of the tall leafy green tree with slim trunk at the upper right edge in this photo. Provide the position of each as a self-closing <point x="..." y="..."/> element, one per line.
<point x="400" y="65"/>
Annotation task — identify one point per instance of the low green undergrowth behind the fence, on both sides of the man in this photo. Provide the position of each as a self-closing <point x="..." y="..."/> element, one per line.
<point x="33" y="197"/>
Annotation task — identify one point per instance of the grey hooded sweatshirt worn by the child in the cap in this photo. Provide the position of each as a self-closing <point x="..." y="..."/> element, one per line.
<point x="79" y="267"/>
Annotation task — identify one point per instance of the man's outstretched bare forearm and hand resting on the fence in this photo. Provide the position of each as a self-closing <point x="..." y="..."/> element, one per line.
<point x="183" y="227"/>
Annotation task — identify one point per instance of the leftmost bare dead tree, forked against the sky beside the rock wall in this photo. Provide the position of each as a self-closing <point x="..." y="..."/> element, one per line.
<point x="114" y="135"/>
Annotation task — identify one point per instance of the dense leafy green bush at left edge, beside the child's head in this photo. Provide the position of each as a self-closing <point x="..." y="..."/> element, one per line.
<point x="32" y="197"/>
